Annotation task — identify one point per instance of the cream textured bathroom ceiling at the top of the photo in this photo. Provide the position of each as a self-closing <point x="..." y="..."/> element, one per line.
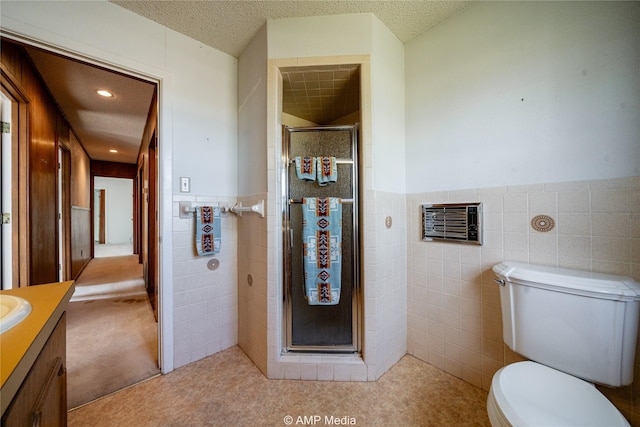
<point x="229" y="26"/>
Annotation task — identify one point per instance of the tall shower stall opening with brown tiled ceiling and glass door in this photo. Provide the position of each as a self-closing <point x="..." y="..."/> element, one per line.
<point x="321" y="113"/>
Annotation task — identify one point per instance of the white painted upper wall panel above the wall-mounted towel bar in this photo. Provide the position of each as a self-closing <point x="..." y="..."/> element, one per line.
<point x="204" y="117"/>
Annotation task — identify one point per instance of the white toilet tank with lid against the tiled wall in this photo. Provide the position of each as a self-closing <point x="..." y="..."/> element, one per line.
<point x="581" y="323"/>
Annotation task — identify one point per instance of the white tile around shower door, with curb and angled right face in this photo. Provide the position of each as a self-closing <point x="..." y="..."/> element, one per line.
<point x="384" y="295"/>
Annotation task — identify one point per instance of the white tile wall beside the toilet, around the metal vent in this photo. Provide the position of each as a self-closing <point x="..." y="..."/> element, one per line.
<point x="454" y="317"/>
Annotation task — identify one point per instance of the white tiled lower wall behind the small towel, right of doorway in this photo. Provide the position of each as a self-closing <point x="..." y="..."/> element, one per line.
<point x="204" y="301"/>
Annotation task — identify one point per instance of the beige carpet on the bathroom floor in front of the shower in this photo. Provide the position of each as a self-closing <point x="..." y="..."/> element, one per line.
<point x="226" y="389"/>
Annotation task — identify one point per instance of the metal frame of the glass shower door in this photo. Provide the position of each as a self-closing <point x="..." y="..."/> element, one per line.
<point x="356" y="300"/>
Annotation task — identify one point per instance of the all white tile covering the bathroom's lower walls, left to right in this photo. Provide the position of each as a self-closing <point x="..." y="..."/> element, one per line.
<point x="434" y="300"/>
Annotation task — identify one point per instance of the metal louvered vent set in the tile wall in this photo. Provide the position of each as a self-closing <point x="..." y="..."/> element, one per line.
<point x="455" y="222"/>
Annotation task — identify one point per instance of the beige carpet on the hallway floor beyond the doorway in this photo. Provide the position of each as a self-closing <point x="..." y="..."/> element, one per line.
<point x="111" y="330"/>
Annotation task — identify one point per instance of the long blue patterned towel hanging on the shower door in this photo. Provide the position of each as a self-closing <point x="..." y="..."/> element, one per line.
<point x="322" y="249"/>
